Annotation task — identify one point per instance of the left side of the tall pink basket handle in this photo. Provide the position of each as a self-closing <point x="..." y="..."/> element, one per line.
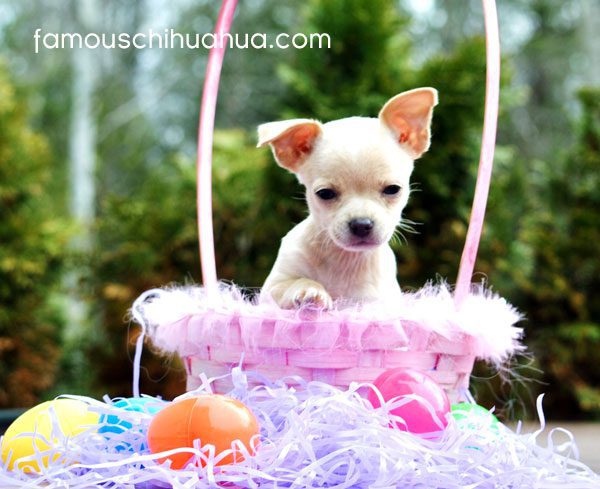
<point x="210" y="91"/>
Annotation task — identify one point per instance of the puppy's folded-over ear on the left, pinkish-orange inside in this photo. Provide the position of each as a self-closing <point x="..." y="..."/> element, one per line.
<point x="291" y="141"/>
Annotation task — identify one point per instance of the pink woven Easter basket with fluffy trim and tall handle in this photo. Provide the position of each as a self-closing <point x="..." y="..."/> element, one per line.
<point x="214" y="327"/>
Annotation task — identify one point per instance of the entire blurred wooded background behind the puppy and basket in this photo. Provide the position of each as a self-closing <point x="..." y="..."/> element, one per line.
<point x="97" y="177"/>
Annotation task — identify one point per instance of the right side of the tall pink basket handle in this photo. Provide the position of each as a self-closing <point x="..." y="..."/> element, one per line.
<point x="486" y="158"/>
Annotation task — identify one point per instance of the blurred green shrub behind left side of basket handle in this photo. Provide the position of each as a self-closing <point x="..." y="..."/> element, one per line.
<point x="149" y="239"/>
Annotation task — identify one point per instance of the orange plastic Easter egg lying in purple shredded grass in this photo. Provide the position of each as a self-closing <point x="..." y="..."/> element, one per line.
<point x="211" y="418"/>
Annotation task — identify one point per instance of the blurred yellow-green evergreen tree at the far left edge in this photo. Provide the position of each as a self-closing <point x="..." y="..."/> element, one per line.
<point x="32" y="240"/>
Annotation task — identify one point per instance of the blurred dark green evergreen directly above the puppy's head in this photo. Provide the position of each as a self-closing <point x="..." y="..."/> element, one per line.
<point x="366" y="64"/>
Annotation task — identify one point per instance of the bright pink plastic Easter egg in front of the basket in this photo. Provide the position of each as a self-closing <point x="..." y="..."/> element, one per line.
<point x="425" y="418"/>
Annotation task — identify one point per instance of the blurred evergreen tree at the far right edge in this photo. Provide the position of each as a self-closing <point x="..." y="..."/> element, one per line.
<point x="562" y="297"/>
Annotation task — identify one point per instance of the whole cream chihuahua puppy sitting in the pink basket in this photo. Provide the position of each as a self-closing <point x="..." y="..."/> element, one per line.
<point x="356" y="173"/>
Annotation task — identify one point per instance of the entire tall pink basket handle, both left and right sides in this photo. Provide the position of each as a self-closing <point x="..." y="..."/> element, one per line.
<point x="486" y="160"/>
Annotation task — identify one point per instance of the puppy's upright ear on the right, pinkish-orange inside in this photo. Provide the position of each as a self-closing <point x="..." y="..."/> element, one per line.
<point x="408" y="115"/>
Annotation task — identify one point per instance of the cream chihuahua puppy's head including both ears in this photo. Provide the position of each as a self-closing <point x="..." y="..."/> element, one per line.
<point x="356" y="170"/>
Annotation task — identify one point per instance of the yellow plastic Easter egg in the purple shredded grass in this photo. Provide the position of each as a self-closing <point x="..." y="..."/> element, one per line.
<point x="40" y="424"/>
